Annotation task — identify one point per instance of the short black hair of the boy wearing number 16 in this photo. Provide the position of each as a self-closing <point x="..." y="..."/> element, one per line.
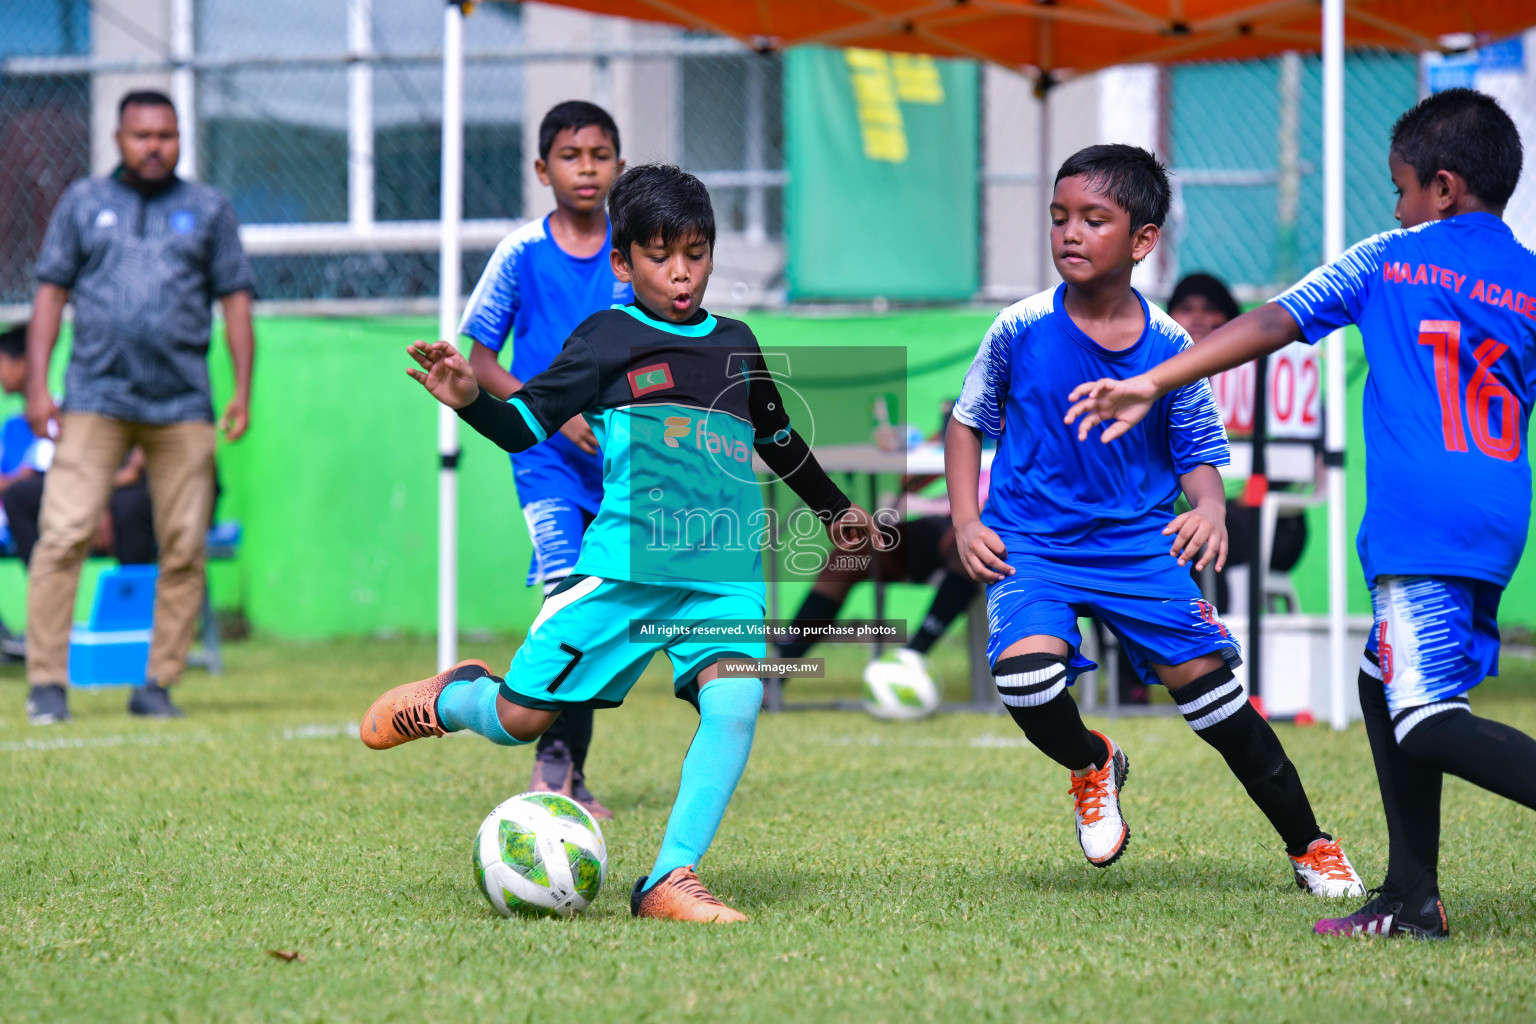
<point x="1466" y="133"/>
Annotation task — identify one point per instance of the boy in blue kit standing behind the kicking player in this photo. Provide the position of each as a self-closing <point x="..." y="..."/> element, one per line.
<point x="543" y="280"/>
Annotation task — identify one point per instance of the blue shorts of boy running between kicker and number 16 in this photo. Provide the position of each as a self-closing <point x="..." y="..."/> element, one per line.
<point x="1151" y="630"/>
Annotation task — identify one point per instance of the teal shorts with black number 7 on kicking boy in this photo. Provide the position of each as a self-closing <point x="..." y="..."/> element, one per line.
<point x="580" y="653"/>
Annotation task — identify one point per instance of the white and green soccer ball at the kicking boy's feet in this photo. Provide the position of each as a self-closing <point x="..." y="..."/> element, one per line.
<point x="540" y="854"/>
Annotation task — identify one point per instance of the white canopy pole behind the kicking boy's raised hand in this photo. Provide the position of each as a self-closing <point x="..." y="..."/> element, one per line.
<point x="448" y="331"/>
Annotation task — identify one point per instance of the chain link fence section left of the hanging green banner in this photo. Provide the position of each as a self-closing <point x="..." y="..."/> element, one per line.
<point x="322" y="121"/>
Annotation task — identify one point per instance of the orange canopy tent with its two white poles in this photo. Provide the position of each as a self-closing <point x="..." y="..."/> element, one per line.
<point x="1050" y="41"/>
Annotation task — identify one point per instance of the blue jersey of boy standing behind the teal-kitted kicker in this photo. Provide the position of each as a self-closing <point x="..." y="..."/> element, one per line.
<point x="535" y="294"/>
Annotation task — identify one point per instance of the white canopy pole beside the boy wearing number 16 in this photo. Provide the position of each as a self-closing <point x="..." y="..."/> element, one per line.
<point x="1337" y="400"/>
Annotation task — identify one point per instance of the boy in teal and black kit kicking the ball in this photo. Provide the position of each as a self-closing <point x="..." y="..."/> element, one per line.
<point x="650" y="377"/>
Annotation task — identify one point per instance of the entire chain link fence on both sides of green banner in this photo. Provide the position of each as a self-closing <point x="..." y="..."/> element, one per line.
<point x="322" y="121"/>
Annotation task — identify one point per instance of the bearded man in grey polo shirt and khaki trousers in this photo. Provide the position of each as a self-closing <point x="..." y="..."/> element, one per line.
<point x="144" y="256"/>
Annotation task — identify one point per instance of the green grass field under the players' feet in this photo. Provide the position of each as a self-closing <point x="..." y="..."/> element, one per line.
<point x="921" y="871"/>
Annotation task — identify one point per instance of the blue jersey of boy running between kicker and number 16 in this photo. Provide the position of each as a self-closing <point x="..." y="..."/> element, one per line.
<point x="1085" y="514"/>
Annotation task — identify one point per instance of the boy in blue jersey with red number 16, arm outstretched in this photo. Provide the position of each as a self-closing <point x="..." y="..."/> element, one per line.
<point x="1448" y="312"/>
